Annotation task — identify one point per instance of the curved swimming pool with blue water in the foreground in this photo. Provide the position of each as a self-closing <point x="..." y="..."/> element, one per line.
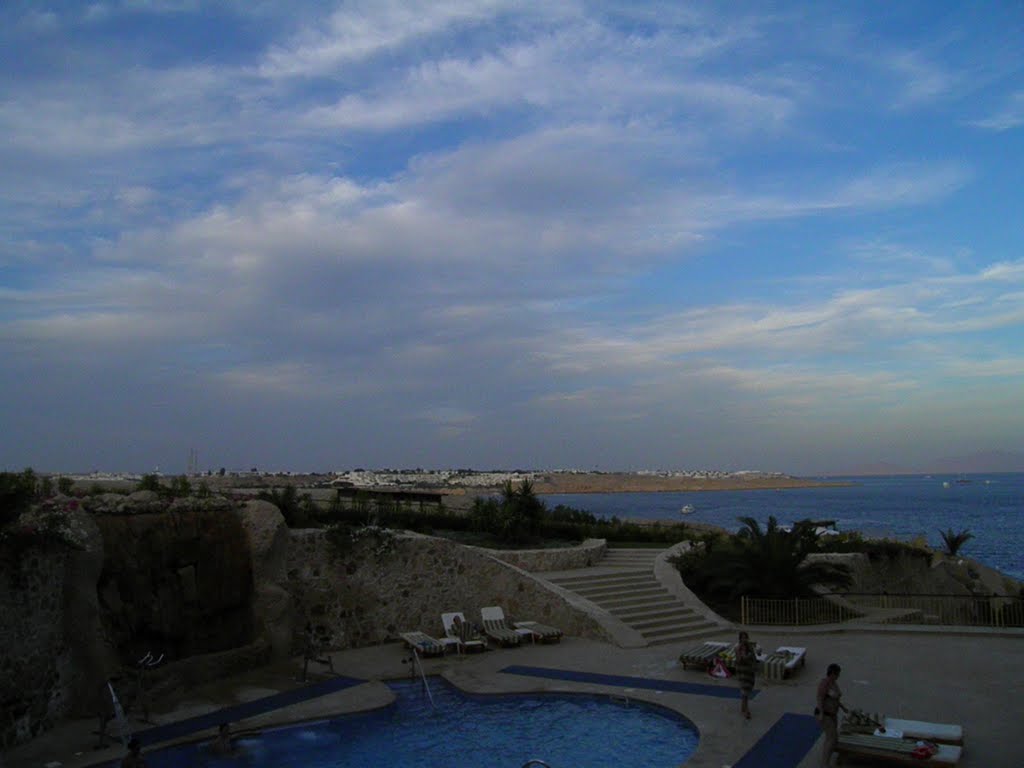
<point x="498" y="732"/>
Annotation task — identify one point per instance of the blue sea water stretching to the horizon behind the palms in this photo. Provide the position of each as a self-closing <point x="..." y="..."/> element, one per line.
<point x="903" y="507"/>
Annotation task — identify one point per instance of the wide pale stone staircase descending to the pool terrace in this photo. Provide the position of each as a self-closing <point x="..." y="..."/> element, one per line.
<point x="624" y="584"/>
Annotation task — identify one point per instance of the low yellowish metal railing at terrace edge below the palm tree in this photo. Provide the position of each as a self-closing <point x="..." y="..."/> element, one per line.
<point x="966" y="611"/>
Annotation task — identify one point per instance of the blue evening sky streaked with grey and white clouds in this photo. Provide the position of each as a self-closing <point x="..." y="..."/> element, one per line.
<point x="614" y="236"/>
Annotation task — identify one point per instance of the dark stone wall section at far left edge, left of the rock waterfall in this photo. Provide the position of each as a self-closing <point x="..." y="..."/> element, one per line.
<point x="35" y="663"/>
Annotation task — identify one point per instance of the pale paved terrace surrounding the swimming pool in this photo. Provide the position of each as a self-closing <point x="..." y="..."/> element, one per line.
<point x="972" y="678"/>
